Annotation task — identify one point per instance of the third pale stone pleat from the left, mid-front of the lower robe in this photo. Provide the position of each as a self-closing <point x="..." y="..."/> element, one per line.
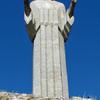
<point x="50" y="69"/>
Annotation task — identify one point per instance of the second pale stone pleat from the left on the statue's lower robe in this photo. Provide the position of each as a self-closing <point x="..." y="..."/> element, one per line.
<point x="43" y="61"/>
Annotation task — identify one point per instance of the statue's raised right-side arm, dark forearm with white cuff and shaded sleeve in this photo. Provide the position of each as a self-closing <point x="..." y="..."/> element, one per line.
<point x="70" y="19"/>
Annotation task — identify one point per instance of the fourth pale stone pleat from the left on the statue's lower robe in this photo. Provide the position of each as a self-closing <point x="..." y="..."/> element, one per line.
<point x="57" y="65"/>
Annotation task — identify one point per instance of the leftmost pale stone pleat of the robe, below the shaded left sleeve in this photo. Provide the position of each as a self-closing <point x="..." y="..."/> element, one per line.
<point x="36" y="67"/>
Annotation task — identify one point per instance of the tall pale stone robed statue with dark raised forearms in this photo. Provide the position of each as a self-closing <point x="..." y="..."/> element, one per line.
<point x="48" y="24"/>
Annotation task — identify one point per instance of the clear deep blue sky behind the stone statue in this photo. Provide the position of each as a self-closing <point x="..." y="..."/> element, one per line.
<point x="82" y="49"/>
